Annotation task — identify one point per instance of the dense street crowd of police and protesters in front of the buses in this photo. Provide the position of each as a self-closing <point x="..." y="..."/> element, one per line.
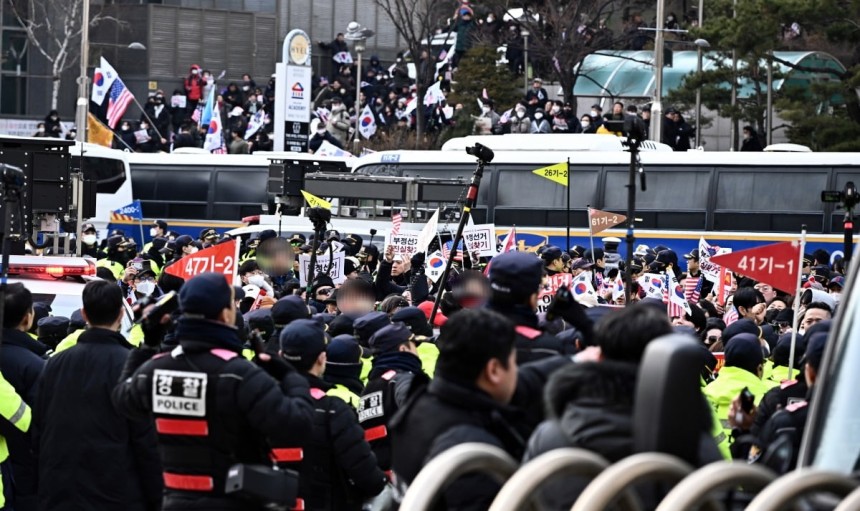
<point x="355" y="389"/>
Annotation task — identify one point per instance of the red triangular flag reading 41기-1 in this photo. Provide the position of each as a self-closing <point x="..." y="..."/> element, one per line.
<point x="773" y="264"/>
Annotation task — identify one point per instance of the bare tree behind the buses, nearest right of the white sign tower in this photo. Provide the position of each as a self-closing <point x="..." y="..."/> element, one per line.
<point x="416" y="22"/>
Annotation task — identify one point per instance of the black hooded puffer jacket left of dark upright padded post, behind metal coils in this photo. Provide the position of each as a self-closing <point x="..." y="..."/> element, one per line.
<point x="590" y="406"/>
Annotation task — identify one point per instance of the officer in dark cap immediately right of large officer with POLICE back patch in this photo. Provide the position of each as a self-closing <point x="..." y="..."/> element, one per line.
<point x="337" y="469"/>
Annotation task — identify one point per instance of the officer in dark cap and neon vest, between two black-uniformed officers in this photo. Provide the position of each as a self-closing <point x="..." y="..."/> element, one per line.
<point x="343" y="369"/>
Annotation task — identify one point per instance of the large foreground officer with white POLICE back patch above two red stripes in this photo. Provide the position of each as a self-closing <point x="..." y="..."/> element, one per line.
<point x="212" y="407"/>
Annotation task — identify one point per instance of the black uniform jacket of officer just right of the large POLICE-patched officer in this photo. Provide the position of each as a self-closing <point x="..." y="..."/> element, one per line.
<point x="337" y="469"/>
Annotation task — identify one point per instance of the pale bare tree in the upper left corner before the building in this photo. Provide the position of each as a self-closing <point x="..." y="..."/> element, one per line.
<point x="53" y="28"/>
